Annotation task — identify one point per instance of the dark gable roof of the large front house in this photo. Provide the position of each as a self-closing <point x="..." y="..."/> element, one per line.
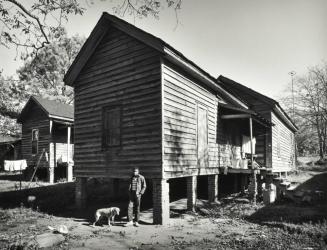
<point x="166" y="51"/>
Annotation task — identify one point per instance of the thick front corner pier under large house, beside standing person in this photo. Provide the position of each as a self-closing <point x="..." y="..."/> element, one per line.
<point x="160" y="201"/>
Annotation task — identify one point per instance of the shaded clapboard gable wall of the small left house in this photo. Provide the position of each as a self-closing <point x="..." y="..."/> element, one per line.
<point x="38" y="120"/>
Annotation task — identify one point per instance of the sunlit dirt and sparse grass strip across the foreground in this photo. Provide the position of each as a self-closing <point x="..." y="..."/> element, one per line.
<point x="185" y="231"/>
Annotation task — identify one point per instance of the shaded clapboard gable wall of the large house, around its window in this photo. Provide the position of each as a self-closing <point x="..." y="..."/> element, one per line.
<point x="123" y="71"/>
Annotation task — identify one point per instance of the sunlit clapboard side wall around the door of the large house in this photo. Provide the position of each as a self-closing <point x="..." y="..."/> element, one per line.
<point x="181" y="98"/>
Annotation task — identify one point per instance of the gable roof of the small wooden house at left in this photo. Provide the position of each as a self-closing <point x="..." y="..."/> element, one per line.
<point x="53" y="109"/>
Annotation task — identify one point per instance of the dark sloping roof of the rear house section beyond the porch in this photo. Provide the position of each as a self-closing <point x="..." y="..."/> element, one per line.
<point x="243" y="93"/>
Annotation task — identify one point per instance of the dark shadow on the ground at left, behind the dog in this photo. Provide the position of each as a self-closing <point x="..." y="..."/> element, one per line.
<point x="59" y="200"/>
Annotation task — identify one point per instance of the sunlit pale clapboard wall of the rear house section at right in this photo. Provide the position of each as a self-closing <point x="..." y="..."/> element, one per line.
<point x="283" y="159"/>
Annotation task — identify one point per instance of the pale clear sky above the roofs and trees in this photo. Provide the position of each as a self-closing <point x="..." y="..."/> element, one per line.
<point x="254" y="42"/>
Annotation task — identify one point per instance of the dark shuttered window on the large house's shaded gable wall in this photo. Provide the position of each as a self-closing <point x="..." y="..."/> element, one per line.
<point x="111" y="126"/>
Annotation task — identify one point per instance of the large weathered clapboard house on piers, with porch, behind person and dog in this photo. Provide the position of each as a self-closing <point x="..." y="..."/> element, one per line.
<point x="139" y="102"/>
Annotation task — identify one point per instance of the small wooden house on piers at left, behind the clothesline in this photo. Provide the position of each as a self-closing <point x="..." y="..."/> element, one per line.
<point x="46" y="134"/>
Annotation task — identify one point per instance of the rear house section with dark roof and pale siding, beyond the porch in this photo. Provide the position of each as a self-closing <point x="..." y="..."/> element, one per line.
<point x="277" y="144"/>
